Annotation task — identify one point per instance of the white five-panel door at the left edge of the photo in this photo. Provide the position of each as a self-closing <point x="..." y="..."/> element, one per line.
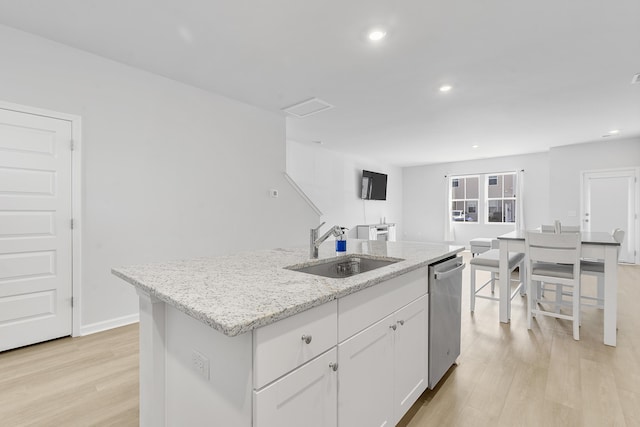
<point x="35" y="229"/>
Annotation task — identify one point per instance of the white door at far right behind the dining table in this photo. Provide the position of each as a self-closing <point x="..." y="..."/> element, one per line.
<point x="609" y="202"/>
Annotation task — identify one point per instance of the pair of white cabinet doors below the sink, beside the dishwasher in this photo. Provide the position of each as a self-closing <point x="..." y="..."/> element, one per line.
<point x="387" y="364"/>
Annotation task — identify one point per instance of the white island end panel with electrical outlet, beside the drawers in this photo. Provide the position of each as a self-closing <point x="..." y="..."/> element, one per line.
<point x="223" y="396"/>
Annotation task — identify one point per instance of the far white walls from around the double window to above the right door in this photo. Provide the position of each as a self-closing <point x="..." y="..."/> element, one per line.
<point x="552" y="187"/>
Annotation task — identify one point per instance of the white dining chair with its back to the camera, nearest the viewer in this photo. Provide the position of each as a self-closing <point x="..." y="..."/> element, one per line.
<point x="553" y="258"/>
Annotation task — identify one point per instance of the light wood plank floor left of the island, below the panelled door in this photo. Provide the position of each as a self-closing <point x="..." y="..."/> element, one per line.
<point x="85" y="381"/>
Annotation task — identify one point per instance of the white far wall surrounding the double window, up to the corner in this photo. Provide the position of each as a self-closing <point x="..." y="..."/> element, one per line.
<point x="424" y="197"/>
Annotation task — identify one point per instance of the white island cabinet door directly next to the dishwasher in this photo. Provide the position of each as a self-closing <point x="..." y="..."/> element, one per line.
<point x="410" y="354"/>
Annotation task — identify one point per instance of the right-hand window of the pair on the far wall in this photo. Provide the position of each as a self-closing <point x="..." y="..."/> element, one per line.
<point x="501" y="198"/>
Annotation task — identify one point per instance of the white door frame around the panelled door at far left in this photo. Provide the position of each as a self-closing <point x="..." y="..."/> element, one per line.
<point x="76" y="201"/>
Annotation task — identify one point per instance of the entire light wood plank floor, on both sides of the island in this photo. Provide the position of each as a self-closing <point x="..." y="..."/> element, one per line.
<point x="506" y="375"/>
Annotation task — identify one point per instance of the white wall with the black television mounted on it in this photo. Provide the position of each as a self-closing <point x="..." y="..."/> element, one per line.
<point x="333" y="182"/>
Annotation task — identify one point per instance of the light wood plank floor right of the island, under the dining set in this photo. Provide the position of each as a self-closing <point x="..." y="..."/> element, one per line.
<point x="509" y="376"/>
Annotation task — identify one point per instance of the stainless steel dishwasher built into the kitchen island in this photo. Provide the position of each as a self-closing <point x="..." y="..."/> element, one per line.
<point x="445" y="292"/>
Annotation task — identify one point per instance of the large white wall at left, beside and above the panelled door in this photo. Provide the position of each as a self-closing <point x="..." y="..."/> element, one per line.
<point x="169" y="171"/>
